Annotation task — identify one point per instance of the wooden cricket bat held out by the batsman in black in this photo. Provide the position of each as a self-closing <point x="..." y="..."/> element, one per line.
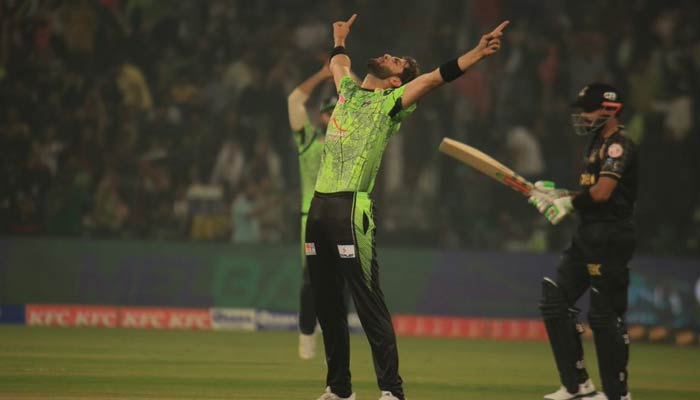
<point x="485" y="164"/>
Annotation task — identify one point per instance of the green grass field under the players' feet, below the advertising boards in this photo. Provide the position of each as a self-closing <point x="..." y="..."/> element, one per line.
<point x="92" y="363"/>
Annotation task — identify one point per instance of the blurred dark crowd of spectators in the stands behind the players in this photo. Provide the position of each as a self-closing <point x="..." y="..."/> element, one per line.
<point x="167" y="120"/>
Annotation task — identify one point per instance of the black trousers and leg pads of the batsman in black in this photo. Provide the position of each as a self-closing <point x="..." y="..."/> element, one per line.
<point x="597" y="260"/>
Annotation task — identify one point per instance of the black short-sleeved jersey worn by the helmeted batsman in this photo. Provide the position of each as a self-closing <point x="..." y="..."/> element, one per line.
<point x="614" y="157"/>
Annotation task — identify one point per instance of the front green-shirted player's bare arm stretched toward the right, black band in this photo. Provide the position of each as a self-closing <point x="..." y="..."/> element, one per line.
<point x="489" y="44"/>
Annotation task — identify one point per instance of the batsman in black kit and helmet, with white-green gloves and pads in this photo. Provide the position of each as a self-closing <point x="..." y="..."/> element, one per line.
<point x="600" y="250"/>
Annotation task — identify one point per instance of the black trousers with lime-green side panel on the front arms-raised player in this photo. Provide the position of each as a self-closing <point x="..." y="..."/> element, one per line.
<point x="340" y="253"/>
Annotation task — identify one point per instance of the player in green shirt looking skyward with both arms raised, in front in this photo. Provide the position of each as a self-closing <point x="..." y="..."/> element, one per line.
<point x="340" y="235"/>
